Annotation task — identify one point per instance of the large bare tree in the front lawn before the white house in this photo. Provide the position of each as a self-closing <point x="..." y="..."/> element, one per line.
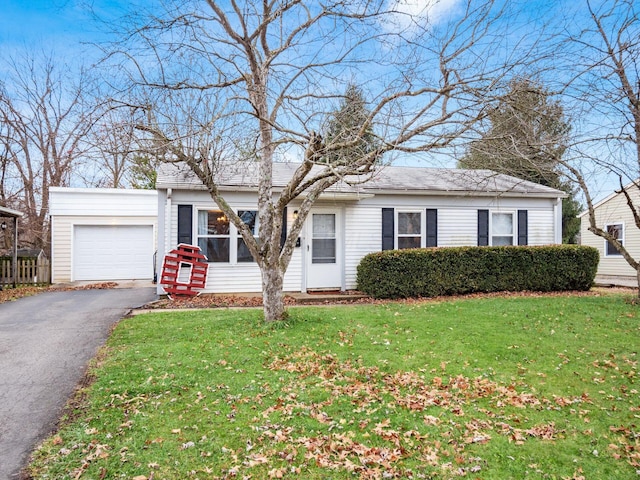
<point x="216" y="76"/>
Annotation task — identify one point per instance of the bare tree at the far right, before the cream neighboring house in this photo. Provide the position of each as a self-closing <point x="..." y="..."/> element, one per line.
<point x="606" y="88"/>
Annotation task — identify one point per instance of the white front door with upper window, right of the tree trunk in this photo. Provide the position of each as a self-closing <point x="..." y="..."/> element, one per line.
<point x="324" y="249"/>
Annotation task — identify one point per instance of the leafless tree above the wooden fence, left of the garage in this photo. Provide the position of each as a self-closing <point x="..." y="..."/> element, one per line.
<point x="44" y="120"/>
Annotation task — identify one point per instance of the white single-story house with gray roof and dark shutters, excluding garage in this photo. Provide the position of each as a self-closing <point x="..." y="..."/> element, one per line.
<point x="401" y="207"/>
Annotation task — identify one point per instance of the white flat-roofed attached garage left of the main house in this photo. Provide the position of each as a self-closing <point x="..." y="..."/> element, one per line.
<point x="101" y="234"/>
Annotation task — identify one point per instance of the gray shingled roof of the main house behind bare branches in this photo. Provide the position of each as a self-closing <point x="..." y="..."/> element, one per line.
<point x="386" y="179"/>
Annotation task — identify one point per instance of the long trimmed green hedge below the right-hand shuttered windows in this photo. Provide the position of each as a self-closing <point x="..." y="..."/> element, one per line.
<point x="433" y="272"/>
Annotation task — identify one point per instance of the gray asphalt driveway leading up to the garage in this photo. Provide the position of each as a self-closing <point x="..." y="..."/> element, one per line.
<point x="46" y="342"/>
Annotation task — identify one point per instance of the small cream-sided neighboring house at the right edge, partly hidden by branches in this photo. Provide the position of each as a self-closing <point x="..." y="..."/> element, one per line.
<point x="614" y="216"/>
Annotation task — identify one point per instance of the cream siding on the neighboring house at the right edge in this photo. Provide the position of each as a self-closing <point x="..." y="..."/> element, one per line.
<point x="614" y="210"/>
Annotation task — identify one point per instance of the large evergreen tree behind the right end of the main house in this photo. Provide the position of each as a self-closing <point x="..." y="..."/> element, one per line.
<point x="526" y="138"/>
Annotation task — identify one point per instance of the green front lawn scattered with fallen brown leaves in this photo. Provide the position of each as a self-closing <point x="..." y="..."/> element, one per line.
<point x="495" y="388"/>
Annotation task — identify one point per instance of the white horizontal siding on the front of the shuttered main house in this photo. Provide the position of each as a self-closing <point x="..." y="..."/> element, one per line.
<point x="457" y="226"/>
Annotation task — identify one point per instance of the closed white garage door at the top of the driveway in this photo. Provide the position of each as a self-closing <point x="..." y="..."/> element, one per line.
<point x="109" y="252"/>
